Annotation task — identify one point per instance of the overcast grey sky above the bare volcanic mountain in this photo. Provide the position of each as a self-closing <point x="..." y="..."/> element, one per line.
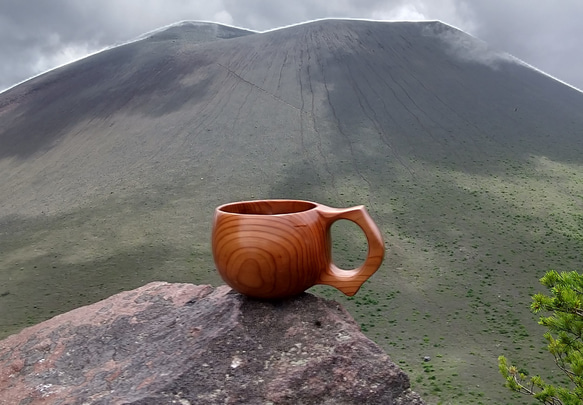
<point x="37" y="35"/>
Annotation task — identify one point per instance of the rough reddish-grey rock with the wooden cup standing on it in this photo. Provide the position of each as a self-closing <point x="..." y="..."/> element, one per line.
<point x="187" y="344"/>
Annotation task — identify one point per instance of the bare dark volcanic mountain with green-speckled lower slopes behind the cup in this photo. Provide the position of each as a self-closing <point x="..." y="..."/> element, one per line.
<point x="468" y="159"/>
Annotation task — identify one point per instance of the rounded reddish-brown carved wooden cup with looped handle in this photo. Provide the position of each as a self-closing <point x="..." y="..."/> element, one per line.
<point x="280" y="248"/>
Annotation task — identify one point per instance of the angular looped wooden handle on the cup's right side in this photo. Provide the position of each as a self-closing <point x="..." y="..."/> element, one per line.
<point x="350" y="281"/>
